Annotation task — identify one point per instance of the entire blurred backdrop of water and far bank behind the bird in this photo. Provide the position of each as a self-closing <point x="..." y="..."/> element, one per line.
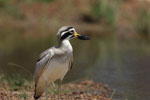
<point x="118" y="53"/>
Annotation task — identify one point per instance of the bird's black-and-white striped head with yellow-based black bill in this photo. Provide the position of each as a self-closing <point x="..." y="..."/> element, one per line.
<point x="68" y="32"/>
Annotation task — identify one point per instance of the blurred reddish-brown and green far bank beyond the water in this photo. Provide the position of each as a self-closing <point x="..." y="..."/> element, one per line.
<point x="101" y="12"/>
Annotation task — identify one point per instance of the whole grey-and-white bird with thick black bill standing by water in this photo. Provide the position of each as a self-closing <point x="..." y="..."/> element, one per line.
<point x="54" y="63"/>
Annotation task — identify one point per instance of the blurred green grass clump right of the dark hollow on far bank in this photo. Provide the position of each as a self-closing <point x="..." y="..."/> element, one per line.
<point x="104" y="10"/>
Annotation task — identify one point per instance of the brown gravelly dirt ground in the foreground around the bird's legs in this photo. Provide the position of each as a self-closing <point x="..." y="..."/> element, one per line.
<point x="84" y="90"/>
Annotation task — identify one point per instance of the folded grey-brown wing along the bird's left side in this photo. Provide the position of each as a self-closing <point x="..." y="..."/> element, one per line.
<point x="41" y="63"/>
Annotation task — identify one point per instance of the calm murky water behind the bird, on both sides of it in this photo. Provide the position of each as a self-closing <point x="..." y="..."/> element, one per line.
<point x="123" y="64"/>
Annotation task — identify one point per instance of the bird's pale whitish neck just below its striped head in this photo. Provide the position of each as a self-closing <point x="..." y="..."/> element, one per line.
<point x="65" y="44"/>
